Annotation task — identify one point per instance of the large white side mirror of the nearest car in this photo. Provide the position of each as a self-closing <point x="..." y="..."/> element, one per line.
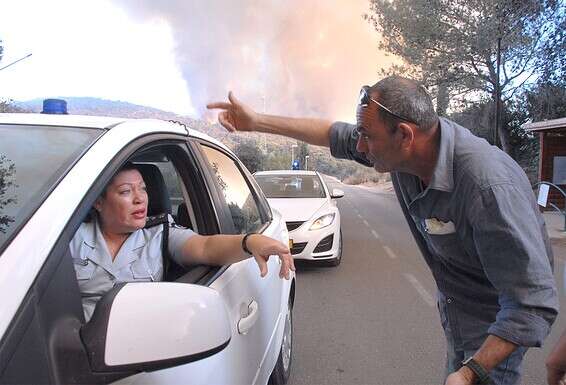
<point x="147" y="326"/>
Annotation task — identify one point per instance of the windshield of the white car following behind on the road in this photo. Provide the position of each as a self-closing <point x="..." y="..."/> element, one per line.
<point x="291" y="186"/>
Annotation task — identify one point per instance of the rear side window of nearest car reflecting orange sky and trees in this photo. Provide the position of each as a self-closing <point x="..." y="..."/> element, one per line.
<point x="237" y="193"/>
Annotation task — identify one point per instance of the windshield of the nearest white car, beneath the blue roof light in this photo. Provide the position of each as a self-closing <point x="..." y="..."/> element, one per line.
<point x="32" y="160"/>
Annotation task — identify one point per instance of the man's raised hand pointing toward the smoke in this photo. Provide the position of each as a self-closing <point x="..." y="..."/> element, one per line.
<point x="235" y="116"/>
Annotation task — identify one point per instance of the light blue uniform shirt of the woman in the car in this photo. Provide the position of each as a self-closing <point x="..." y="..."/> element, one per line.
<point x="138" y="260"/>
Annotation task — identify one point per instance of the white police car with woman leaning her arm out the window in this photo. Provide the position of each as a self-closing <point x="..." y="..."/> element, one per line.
<point x="212" y="325"/>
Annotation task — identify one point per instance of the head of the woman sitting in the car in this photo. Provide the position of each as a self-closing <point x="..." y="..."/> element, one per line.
<point x="123" y="208"/>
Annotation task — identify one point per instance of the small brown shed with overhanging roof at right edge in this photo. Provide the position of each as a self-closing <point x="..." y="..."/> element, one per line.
<point x="552" y="156"/>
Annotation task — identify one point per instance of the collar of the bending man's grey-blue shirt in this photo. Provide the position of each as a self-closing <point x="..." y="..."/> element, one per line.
<point x="443" y="175"/>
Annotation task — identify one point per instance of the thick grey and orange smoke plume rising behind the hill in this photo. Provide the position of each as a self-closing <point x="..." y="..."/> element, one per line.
<point x="292" y="57"/>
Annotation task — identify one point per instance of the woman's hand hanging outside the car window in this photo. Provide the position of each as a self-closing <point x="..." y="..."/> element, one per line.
<point x="262" y="247"/>
